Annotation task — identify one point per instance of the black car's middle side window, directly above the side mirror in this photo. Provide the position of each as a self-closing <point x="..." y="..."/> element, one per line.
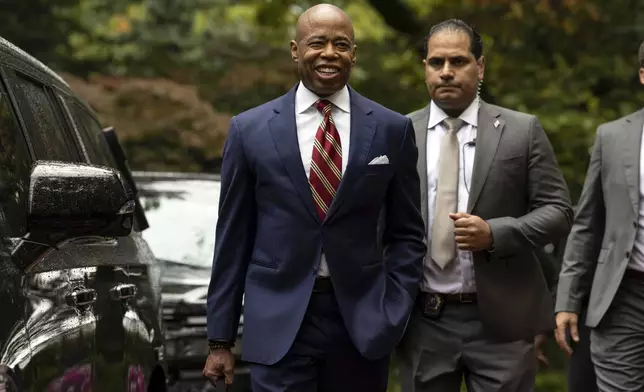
<point x="49" y="138"/>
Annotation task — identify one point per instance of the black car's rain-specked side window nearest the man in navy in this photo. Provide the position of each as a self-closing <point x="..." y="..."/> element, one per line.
<point x="91" y="134"/>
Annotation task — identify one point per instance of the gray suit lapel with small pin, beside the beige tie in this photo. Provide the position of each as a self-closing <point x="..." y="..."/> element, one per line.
<point x="490" y="128"/>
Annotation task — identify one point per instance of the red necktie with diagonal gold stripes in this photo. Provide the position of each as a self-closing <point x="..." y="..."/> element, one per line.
<point x="326" y="163"/>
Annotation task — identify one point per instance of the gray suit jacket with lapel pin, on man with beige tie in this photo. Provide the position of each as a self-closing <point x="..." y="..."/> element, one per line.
<point x="518" y="189"/>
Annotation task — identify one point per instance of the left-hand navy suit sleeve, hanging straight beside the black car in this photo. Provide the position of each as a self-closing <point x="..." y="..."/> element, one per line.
<point x="235" y="234"/>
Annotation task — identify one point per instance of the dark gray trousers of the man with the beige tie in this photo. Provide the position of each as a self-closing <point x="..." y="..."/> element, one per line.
<point x="437" y="355"/>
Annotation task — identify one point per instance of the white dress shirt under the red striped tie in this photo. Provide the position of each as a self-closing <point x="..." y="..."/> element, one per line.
<point x="308" y="119"/>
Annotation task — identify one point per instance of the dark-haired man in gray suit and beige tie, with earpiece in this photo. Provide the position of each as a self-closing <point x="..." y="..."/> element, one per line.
<point x="492" y="194"/>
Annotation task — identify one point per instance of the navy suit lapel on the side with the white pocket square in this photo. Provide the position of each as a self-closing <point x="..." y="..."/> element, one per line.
<point x="363" y="129"/>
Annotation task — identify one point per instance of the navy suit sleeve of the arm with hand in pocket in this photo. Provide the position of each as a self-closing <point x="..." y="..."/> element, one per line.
<point x="404" y="234"/>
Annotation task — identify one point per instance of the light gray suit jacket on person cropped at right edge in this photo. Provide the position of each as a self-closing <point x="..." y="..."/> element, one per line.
<point x="602" y="237"/>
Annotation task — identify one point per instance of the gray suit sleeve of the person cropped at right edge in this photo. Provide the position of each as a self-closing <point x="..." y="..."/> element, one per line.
<point x="586" y="237"/>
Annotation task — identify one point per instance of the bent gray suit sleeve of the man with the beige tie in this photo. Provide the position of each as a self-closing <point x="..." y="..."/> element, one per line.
<point x="550" y="215"/>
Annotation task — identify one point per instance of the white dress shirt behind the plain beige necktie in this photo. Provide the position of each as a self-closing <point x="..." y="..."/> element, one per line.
<point x="458" y="275"/>
